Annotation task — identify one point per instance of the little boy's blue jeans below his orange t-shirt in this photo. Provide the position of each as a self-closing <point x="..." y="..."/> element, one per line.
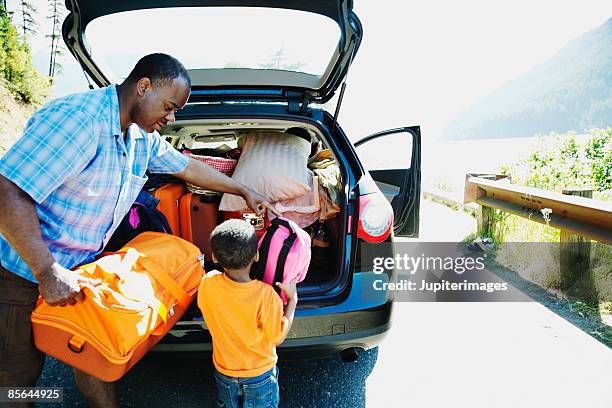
<point x="253" y="392"/>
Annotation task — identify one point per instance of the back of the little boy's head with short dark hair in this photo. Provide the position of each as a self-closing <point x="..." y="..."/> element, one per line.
<point x="234" y="244"/>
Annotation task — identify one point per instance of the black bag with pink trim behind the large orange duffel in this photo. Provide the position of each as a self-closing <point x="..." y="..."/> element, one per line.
<point x="143" y="216"/>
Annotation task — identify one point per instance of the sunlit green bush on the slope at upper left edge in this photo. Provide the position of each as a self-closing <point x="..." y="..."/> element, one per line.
<point x="16" y="68"/>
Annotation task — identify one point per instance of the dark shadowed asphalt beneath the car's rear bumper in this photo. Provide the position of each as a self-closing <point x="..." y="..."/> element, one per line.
<point x="186" y="381"/>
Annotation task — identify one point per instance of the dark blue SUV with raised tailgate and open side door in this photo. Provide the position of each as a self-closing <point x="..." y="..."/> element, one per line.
<point x="307" y="48"/>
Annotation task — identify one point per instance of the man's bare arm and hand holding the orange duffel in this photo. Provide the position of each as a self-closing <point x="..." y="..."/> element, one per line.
<point x="20" y="226"/>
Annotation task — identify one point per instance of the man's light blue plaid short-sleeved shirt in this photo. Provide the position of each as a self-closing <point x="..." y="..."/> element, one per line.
<point x="81" y="174"/>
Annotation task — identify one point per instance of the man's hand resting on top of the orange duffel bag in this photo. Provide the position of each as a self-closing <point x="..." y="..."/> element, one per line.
<point x="61" y="286"/>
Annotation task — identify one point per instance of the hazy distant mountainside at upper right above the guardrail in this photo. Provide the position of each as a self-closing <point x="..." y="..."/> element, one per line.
<point x="571" y="91"/>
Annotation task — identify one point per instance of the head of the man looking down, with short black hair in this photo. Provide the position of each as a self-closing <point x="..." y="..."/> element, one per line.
<point x="159" y="85"/>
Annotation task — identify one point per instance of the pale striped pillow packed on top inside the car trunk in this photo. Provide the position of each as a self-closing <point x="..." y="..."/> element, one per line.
<point x="272" y="163"/>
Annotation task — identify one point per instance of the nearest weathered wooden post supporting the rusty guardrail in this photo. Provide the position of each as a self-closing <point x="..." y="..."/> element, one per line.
<point x="575" y="256"/>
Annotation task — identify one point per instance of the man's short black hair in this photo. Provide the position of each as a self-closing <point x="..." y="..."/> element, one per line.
<point x="160" y="68"/>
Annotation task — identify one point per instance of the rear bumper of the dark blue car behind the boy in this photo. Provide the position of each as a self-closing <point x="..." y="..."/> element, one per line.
<point x="310" y="336"/>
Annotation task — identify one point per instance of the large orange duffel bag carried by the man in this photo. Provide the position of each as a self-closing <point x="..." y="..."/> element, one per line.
<point x="146" y="287"/>
